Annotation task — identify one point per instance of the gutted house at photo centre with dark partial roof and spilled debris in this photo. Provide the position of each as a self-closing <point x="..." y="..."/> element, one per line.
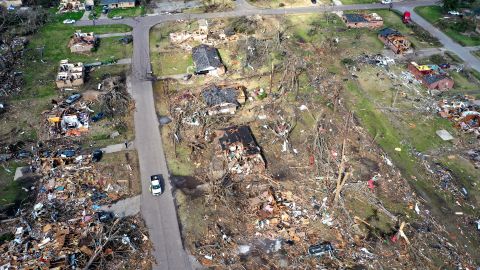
<point x="239" y="150"/>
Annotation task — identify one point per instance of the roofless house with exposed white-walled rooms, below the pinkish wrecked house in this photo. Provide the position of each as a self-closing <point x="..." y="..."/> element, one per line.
<point x="70" y="74"/>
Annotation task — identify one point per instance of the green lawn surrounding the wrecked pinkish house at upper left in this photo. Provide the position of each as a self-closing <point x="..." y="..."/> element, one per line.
<point x="53" y="38"/>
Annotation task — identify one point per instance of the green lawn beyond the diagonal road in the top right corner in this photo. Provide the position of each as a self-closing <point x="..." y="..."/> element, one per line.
<point x="434" y="14"/>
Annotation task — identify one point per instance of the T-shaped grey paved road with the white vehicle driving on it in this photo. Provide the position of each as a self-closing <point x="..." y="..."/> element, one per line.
<point x="160" y="212"/>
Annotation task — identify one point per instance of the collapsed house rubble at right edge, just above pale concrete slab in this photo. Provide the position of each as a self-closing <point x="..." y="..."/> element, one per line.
<point x="463" y="111"/>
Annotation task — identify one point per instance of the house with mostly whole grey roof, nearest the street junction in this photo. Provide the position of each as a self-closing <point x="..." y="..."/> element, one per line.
<point x="207" y="60"/>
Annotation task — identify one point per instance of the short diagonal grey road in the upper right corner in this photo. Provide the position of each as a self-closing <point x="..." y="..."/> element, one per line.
<point x="447" y="42"/>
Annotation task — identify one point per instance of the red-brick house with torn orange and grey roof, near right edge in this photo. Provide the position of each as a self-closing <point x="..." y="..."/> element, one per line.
<point x="432" y="76"/>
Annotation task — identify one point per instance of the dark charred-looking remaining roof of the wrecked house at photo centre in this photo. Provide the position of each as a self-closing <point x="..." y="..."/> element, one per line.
<point x="239" y="135"/>
